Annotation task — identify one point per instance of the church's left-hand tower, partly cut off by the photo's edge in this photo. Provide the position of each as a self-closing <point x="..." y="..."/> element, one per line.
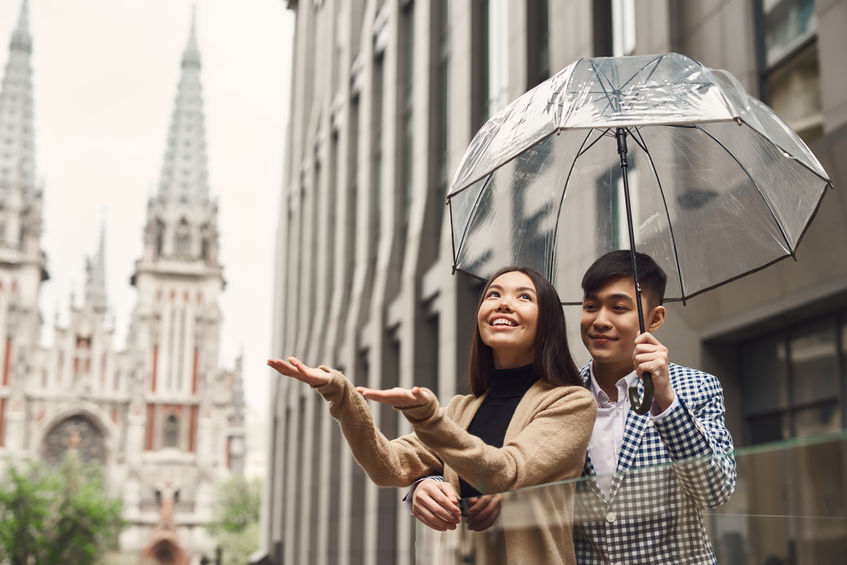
<point x="22" y="262"/>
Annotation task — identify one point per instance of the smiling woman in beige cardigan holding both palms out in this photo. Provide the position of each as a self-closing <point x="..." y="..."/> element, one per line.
<point x="527" y="421"/>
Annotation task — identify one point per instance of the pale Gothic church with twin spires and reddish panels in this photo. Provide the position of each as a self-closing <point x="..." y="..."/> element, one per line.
<point x="161" y="417"/>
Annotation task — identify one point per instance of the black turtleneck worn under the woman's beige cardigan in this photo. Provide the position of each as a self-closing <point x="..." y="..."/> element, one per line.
<point x="506" y="388"/>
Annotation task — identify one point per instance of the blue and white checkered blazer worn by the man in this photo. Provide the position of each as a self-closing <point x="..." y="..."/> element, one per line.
<point x="652" y="514"/>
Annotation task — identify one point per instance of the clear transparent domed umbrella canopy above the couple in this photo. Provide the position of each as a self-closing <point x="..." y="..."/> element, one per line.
<point x="720" y="185"/>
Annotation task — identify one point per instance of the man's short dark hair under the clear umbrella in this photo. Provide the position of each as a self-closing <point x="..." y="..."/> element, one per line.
<point x="618" y="265"/>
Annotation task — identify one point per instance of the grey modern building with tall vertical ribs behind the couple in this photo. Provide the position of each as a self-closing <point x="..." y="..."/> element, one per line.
<point x="385" y="96"/>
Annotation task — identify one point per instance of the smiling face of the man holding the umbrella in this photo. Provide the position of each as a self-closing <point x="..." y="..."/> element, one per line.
<point x="609" y="325"/>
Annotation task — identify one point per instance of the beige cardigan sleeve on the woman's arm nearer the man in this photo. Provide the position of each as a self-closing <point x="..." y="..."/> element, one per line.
<point x="550" y="447"/>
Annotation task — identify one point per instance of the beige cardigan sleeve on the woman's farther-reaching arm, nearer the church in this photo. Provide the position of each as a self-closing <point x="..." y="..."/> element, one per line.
<point x="393" y="463"/>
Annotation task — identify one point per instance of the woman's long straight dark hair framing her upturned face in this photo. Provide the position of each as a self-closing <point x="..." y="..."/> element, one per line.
<point x="553" y="361"/>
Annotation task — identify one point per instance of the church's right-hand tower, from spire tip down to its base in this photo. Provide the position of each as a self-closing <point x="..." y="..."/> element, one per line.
<point x="179" y="428"/>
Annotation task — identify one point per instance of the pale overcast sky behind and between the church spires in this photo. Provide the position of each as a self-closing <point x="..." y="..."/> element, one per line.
<point x="105" y="74"/>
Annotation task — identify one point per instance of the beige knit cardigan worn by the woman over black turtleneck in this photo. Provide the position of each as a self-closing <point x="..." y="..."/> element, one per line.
<point x="546" y="441"/>
